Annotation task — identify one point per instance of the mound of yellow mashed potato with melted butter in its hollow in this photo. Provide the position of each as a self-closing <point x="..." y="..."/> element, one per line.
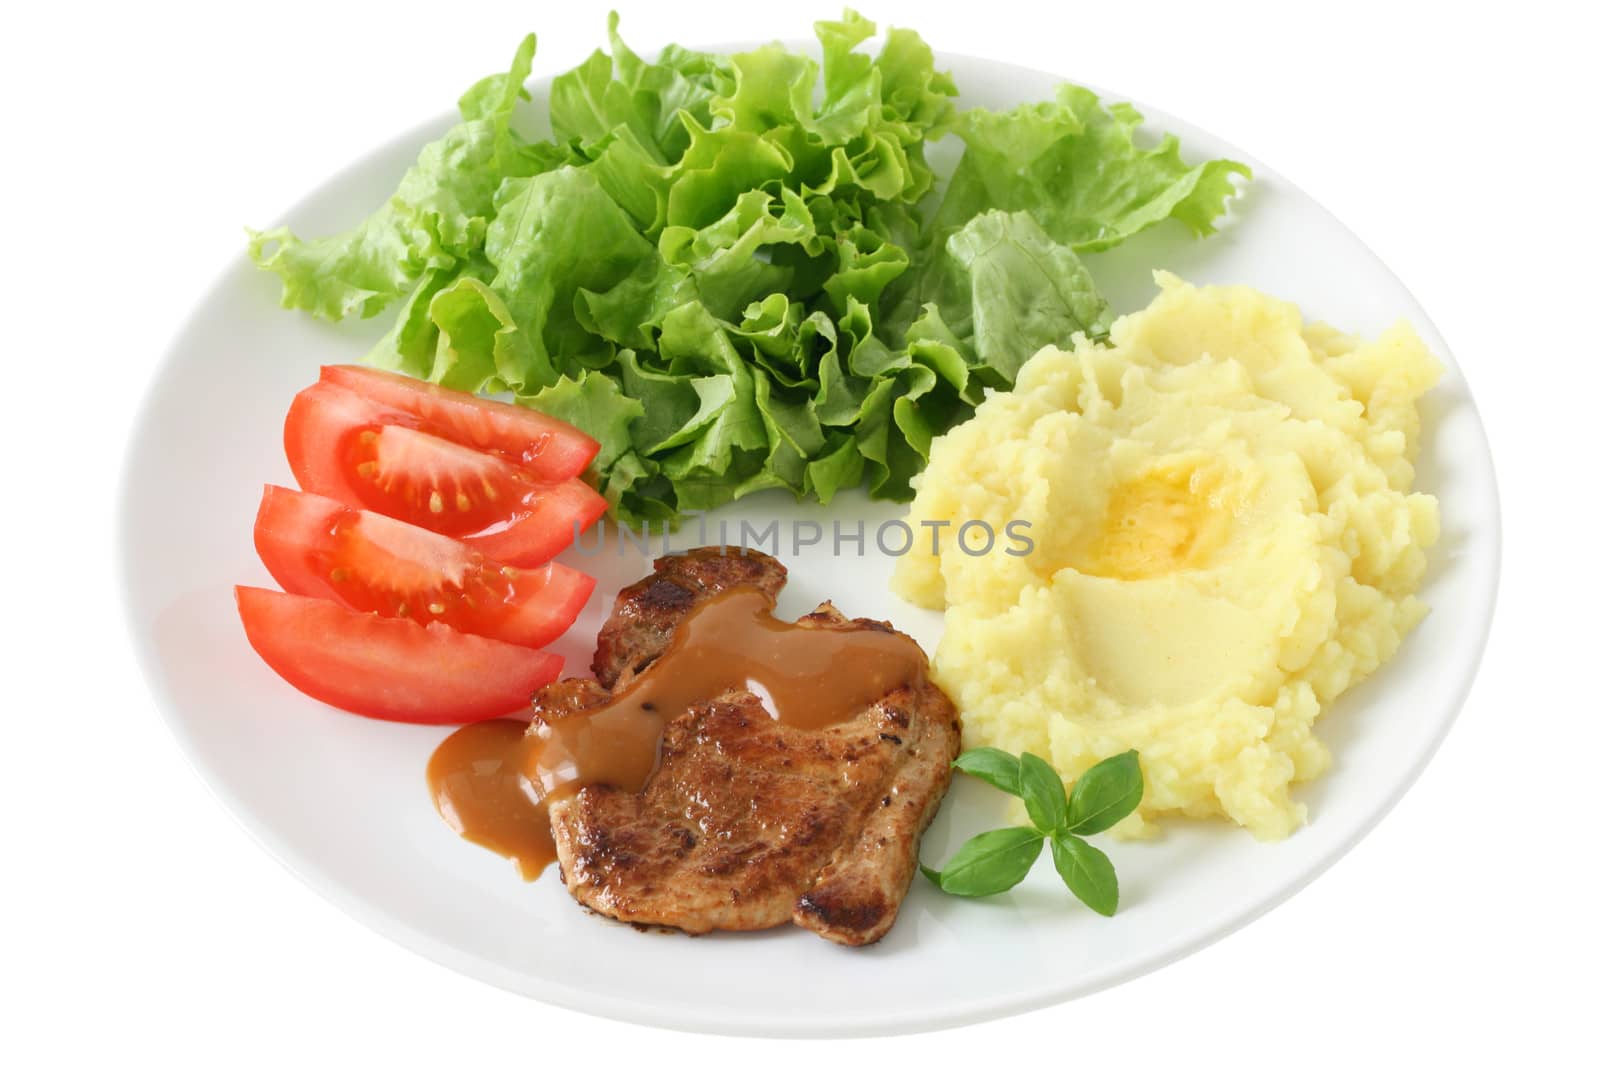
<point x="1226" y="540"/>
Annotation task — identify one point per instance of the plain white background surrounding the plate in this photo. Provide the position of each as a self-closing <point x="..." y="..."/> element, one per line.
<point x="135" y="917"/>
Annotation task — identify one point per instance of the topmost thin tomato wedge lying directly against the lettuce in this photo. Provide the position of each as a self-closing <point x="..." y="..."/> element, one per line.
<point x="550" y="449"/>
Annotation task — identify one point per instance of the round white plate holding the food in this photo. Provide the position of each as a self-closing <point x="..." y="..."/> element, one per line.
<point x="343" y="804"/>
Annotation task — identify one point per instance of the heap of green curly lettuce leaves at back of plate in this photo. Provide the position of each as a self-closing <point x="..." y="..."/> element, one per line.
<point x="737" y="271"/>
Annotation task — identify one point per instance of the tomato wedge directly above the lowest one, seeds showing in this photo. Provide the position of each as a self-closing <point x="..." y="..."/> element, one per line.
<point x="321" y="548"/>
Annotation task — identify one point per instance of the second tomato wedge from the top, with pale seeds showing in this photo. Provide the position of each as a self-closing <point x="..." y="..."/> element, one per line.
<point x="364" y="454"/>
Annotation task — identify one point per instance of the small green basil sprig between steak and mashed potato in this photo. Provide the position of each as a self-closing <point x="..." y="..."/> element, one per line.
<point x="998" y="860"/>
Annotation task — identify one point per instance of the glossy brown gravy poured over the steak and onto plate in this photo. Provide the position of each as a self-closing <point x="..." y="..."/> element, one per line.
<point x="492" y="781"/>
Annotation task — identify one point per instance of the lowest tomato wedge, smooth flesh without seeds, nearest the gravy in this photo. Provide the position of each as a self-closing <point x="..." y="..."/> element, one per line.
<point x="390" y="668"/>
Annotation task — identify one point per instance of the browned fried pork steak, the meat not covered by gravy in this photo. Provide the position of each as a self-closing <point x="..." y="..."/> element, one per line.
<point x="750" y="823"/>
